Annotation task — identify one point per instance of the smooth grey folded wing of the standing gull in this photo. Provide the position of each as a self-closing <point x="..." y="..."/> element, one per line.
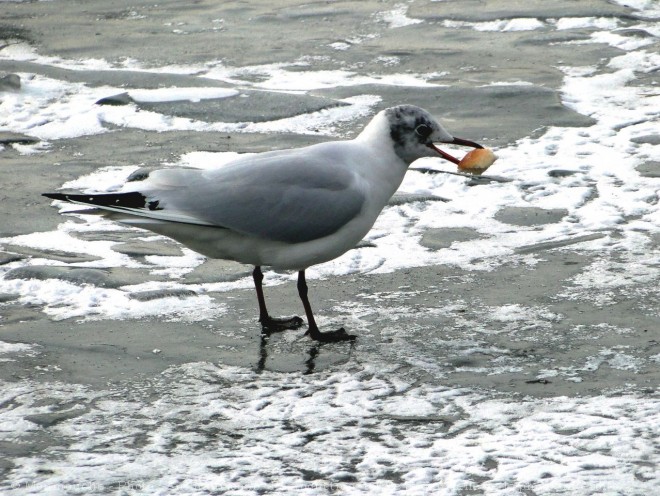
<point x="282" y="198"/>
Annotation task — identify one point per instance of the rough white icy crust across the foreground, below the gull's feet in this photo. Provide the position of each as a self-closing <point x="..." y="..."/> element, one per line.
<point x="202" y="427"/>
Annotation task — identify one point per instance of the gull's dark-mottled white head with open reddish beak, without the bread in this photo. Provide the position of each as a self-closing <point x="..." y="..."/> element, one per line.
<point x="413" y="133"/>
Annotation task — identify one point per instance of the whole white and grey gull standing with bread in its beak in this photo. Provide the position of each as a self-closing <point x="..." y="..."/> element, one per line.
<point x="286" y="209"/>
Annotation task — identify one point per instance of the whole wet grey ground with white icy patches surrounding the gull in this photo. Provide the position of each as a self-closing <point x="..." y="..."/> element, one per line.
<point x="508" y="337"/>
